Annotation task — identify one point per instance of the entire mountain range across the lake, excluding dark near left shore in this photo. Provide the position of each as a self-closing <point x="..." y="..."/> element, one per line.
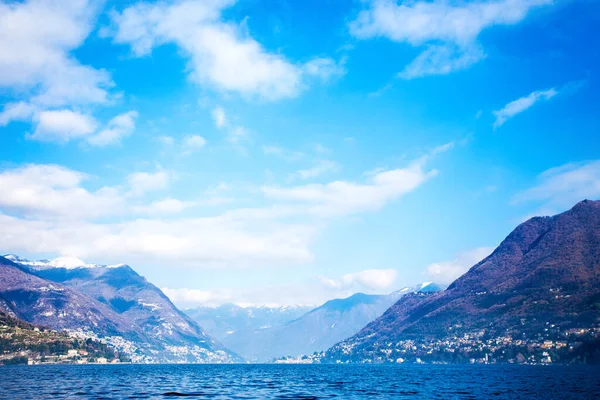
<point x="536" y="298"/>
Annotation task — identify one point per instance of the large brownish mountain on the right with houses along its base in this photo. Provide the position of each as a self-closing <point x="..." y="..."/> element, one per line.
<point x="539" y="290"/>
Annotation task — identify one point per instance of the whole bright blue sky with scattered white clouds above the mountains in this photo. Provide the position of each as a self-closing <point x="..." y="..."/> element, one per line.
<point x="273" y="152"/>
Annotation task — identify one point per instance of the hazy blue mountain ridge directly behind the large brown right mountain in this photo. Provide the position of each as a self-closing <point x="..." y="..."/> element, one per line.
<point x="316" y="330"/>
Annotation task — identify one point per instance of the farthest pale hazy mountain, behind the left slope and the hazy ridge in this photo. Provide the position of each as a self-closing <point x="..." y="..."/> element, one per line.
<point x="224" y="320"/>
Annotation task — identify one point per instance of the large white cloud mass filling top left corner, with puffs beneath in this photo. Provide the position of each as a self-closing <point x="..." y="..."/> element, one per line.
<point x="47" y="85"/>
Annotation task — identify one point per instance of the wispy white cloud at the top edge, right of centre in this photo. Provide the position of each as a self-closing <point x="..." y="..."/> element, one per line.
<point x="450" y="30"/>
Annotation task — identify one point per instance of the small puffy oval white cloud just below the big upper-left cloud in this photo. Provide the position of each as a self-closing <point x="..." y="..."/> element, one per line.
<point x="62" y="125"/>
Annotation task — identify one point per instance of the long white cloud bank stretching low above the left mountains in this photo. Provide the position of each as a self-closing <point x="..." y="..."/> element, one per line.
<point x="47" y="209"/>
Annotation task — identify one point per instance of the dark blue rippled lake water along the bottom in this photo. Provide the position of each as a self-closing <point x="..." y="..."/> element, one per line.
<point x="300" y="381"/>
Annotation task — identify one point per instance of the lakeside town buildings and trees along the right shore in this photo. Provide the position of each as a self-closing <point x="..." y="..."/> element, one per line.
<point x="552" y="346"/>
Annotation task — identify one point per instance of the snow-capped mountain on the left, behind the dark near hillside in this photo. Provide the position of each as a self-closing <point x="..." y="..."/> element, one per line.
<point x="112" y="303"/>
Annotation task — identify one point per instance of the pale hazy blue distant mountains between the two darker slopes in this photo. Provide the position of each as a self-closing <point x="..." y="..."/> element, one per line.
<point x="262" y="334"/>
